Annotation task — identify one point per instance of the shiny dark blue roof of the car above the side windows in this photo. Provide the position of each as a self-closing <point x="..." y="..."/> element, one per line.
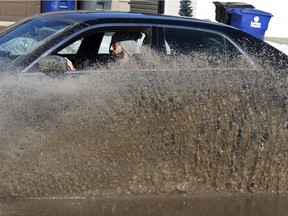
<point x="94" y="17"/>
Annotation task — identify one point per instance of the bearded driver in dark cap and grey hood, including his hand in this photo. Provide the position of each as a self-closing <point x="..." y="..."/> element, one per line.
<point x="123" y="46"/>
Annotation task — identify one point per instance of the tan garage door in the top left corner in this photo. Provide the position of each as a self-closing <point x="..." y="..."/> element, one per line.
<point x="16" y="10"/>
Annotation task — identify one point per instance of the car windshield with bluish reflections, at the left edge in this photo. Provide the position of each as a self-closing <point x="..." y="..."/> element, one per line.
<point x="26" y="37"/>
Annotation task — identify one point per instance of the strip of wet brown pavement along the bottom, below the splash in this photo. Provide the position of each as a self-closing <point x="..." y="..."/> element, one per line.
<point x="211" y="204"/>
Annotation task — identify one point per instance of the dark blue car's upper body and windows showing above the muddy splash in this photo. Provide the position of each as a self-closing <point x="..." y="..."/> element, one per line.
<point x="84" y="38"/>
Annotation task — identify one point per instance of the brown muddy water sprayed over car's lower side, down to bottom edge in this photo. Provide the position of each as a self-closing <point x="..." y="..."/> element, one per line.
<point x="187" y="136"/>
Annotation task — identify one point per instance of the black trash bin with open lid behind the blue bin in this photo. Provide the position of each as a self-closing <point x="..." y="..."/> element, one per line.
<point x="222" y="15"/>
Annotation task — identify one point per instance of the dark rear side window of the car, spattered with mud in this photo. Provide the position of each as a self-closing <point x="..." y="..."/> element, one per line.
<point x="213" y="49"/>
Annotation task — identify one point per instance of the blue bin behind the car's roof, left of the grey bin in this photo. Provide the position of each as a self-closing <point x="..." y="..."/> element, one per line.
<point x="56" y="5"/>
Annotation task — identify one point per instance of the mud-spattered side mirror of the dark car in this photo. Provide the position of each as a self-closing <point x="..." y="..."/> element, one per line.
<point x="53" y="64"/>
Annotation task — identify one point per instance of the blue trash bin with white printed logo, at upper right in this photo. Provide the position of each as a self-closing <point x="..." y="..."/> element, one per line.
<point x="250" y="20"/>
